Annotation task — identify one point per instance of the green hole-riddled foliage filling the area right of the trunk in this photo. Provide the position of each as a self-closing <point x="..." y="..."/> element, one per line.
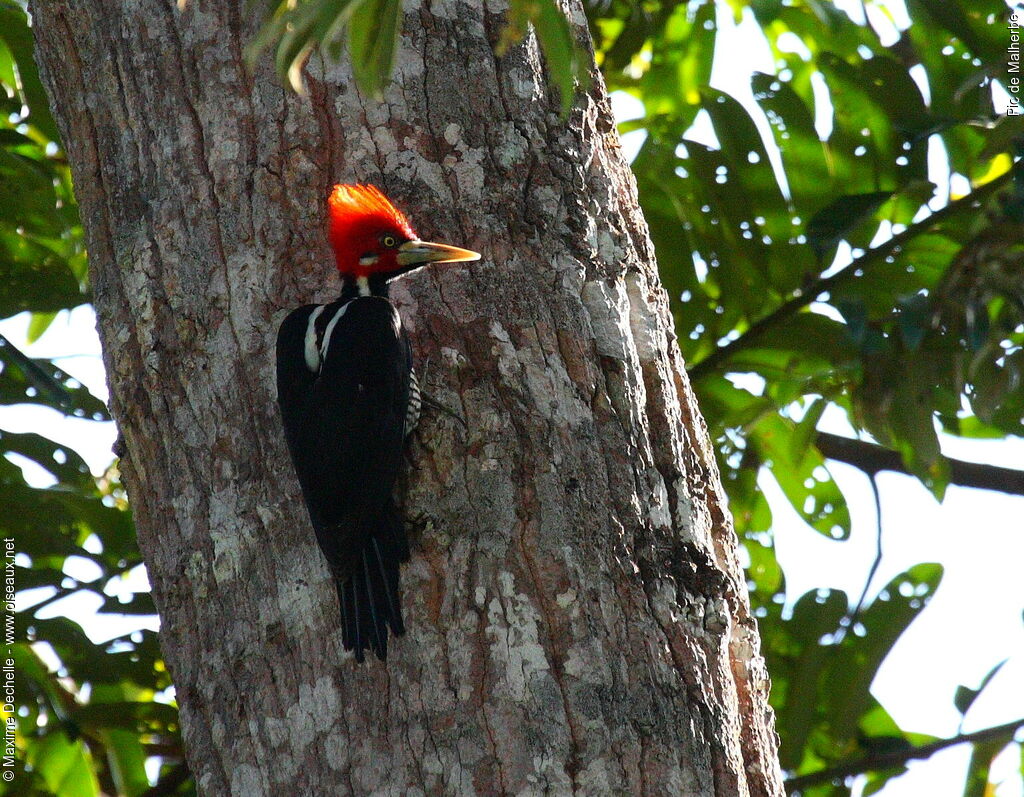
<point x="813" y="261"/>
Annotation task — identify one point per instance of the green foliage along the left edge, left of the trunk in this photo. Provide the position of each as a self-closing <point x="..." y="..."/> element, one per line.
<point x="88" y="720"/>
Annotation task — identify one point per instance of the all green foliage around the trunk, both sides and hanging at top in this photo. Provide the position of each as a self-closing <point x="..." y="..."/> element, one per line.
<point x="814" y="260"/>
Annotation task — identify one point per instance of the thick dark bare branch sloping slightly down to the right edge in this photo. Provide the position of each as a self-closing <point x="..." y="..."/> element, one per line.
<point x="872" y="458"/>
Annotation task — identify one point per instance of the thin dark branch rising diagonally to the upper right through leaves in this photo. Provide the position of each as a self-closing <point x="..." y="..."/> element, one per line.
<point x="871" y="259"/>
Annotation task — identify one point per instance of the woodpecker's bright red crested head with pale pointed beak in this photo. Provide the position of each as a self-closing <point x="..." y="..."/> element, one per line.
<point x="371" y="237"/>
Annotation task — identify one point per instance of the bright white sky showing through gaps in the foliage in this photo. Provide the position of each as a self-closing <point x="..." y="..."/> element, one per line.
<point x="973" y="622"/>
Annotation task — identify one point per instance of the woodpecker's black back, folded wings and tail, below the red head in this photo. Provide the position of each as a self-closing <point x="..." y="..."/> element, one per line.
<point x="344" y="407"/>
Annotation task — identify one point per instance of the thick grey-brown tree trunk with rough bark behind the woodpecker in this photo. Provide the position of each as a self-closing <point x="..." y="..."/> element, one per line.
<point x="578" y="618"/>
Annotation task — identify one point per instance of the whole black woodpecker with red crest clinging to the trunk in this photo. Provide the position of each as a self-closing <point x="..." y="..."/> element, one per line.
<point x="349" y="399"/>
